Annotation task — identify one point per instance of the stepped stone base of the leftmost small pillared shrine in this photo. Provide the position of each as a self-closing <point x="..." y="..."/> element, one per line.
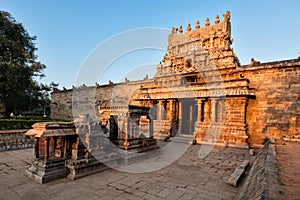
<point x="45" y="171"/>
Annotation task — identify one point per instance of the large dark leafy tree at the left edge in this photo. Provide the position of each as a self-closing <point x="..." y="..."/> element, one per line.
<point x="19" y="67"/>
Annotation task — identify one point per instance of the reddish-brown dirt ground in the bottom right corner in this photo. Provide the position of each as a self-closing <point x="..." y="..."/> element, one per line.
<point x="288" y="158"/>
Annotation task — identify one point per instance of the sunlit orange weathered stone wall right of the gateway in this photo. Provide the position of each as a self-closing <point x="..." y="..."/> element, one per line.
<point x="275" y="110"/>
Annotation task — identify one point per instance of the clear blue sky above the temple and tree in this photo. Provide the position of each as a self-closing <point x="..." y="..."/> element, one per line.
<point x="69" y="31"/>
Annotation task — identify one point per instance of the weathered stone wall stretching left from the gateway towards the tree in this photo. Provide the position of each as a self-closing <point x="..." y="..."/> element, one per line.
<point x="105" y="95"/>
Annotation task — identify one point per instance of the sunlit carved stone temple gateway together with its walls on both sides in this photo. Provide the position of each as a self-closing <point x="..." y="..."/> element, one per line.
<point x="199" y="89"/>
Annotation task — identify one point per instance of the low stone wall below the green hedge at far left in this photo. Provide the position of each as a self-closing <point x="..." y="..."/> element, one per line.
<point x="15" y="139"/>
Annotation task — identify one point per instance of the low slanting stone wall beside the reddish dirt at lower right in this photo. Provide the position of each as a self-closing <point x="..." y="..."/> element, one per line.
<point x="263" y="179"/>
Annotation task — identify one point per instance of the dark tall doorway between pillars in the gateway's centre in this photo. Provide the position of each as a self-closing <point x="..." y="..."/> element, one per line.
<point x="188" y="115"/>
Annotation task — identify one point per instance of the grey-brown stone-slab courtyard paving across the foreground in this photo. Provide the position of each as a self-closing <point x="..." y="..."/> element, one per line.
<point x="189" y="177"/>
